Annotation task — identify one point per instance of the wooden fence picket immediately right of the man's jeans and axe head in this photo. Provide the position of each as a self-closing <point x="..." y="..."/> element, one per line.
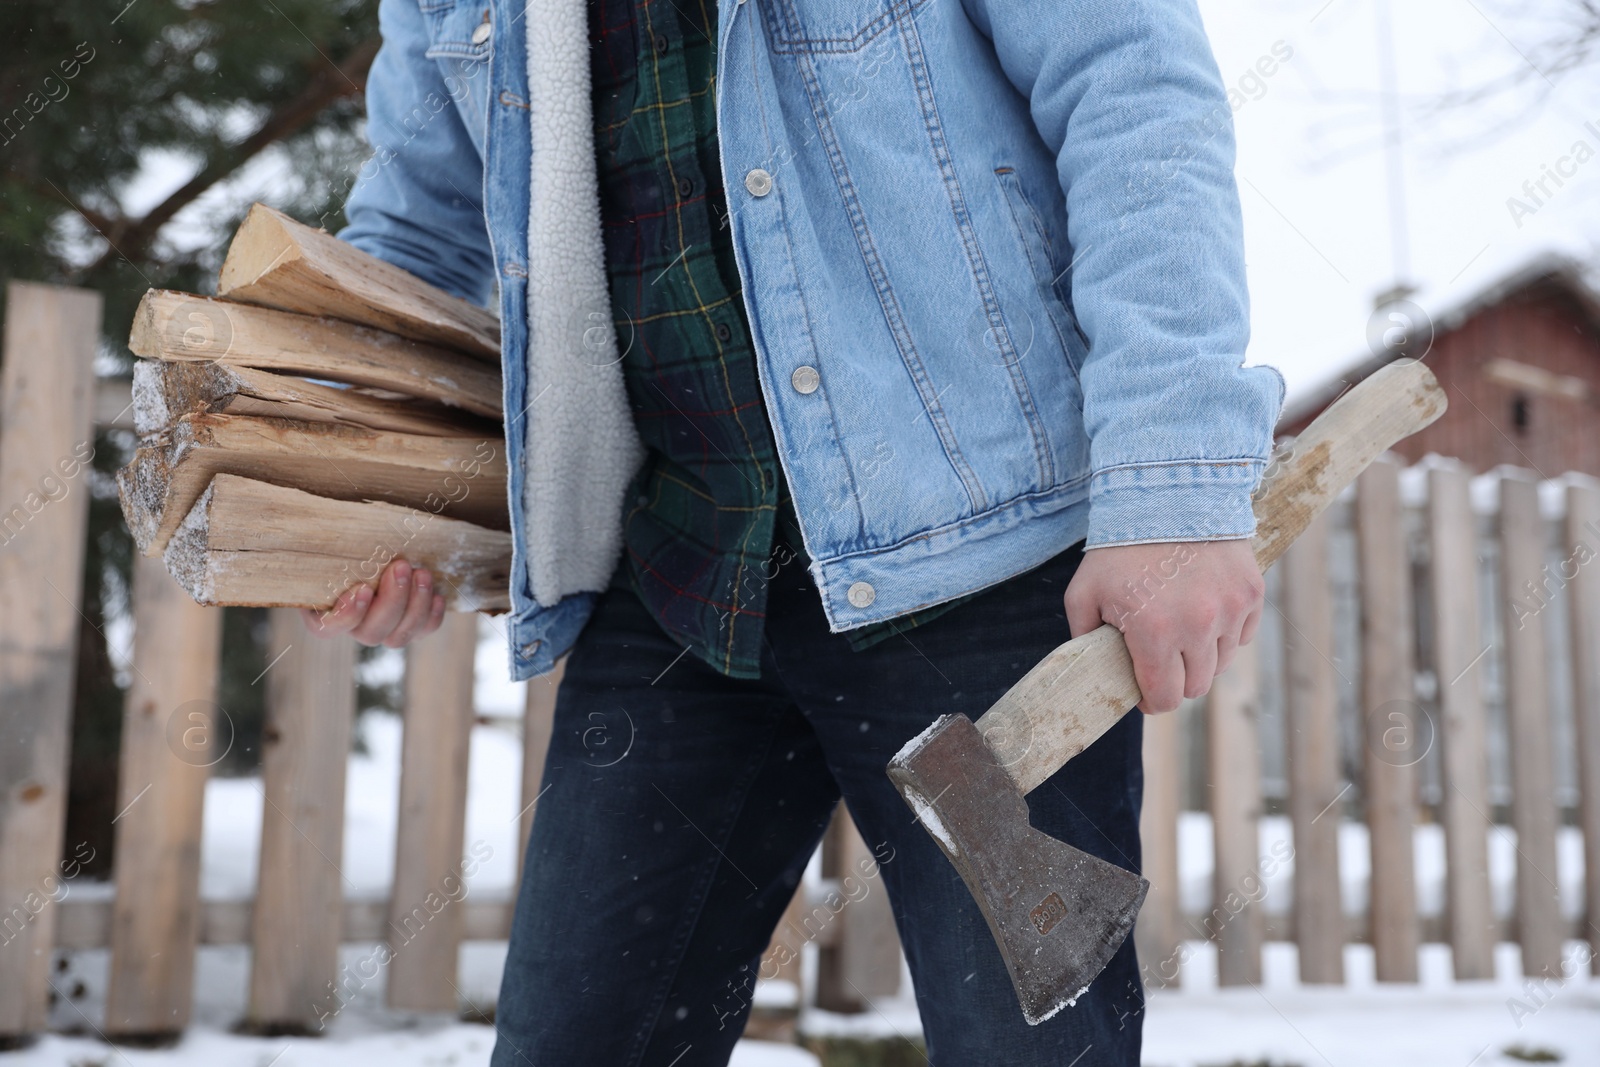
<point x="1159" y="932"/>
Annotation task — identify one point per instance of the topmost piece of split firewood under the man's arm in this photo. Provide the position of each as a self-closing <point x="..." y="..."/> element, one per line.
<point x="279" y="263"/>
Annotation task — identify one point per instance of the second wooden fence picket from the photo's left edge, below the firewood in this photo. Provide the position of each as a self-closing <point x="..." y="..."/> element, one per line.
<point x="174" y="733"/>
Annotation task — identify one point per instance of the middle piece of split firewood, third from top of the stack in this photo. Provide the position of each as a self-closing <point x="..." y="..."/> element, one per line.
<point x="164" y="393"/>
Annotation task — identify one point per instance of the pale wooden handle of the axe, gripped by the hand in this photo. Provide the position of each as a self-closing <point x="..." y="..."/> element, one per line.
<point x="1084" y="687"/>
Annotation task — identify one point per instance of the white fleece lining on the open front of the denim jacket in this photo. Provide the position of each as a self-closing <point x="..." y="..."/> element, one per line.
<point x="580" y="447"/>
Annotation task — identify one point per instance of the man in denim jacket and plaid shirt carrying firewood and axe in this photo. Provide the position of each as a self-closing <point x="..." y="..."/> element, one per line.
<point x="964" y="276"/>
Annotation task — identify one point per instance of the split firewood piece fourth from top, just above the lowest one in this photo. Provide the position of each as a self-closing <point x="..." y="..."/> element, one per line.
<point x="463" y="478"/>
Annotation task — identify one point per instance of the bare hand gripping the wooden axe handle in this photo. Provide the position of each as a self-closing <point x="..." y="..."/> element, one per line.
<point x="1183" y="609"/>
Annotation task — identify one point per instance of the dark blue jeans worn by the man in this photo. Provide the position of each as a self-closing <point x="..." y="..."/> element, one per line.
<point x="681" y="809"/>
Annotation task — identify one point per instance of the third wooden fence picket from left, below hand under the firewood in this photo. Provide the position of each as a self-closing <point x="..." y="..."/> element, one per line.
<point x="300" y="900"/>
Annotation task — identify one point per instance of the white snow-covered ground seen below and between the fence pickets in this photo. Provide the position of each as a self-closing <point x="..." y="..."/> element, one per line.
<point x="1438" y="1023"/>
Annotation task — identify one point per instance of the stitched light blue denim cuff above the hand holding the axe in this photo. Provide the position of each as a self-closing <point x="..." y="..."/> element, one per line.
<point x="1174" y="502"/>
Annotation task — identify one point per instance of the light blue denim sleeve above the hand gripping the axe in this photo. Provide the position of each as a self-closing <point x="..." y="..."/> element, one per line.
<point x="1129" y="98"/>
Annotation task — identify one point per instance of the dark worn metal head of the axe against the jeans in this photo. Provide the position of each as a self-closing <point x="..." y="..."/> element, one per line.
<point x="1057" y="913"/>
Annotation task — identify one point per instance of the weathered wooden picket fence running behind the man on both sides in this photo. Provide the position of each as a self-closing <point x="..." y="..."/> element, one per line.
<point x="1417" y="573"/>
